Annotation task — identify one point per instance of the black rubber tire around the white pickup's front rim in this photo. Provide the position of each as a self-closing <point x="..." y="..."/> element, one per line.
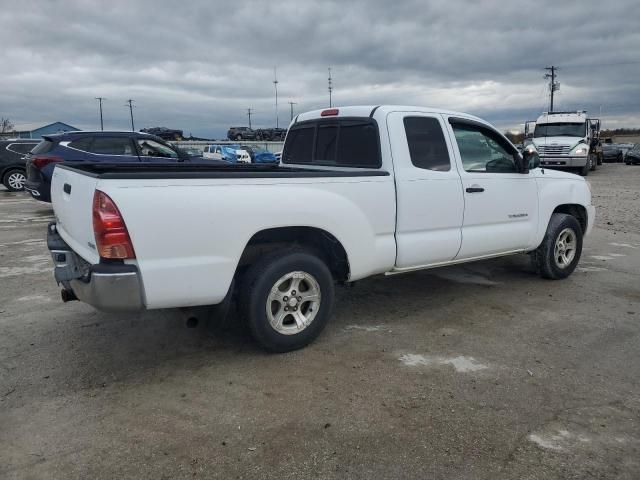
<point x="544" y="257"/>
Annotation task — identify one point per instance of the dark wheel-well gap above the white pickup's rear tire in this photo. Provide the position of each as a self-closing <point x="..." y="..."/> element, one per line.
<point x="316" y="240"/>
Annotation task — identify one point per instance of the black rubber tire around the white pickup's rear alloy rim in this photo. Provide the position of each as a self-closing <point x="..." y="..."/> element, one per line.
<point x="258" y="284"/>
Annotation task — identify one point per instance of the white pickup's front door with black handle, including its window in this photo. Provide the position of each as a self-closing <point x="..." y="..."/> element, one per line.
<point x="501" y="204"/>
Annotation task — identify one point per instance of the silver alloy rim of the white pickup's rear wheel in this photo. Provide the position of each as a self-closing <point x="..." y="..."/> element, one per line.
<point x="293" y="302"/>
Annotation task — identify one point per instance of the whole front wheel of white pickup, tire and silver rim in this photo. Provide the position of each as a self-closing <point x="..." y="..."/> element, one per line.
<point x="560" y="250"/>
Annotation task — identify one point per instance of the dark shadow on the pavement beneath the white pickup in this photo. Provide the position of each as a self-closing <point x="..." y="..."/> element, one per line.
<point x="103" y="347"/>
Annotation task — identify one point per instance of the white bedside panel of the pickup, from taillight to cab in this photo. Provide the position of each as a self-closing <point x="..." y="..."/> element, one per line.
<point x="189" y="235"/>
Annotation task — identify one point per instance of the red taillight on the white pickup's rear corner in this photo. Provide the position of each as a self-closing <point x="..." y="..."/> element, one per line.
<point x="112" y="237"/>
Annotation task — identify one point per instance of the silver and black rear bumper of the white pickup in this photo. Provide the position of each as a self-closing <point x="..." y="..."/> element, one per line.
<point x="106" y="287"/>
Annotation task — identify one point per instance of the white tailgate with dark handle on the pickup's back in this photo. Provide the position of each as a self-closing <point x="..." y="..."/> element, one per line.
<point x="72" y="198"/>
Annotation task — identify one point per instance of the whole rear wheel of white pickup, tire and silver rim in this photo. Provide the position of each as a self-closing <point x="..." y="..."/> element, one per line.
<point x="287" y="298"/>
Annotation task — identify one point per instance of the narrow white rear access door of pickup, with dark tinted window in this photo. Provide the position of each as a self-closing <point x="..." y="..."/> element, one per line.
<point x="430" y="201"/>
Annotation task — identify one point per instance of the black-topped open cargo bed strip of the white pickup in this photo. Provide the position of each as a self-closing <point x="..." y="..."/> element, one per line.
<point x="182" y="171"/>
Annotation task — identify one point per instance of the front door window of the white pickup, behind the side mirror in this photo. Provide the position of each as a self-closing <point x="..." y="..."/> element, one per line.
<point x="481" y="151"/>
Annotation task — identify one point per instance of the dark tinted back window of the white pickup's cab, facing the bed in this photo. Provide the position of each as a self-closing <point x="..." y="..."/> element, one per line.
<point x="338" y="142"/>
